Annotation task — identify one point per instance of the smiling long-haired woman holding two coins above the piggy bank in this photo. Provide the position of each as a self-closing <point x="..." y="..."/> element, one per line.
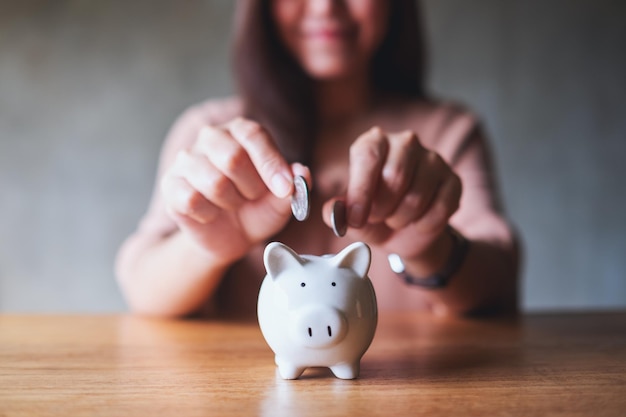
<point x="332" y="91"/>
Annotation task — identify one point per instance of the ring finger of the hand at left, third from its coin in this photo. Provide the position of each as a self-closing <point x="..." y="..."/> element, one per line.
<point x="198" y="171"/>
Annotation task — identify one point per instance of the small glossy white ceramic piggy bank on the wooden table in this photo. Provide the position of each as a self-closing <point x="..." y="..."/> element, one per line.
<point x="317" y="311"/>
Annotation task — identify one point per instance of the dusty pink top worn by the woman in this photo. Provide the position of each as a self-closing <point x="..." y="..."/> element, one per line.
<point x="447" y="129"/>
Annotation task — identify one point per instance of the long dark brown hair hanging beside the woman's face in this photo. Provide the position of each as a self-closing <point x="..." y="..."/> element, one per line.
<point x="277" y="93"/>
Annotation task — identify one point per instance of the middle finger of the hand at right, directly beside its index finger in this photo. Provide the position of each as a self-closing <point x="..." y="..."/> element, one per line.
<point x="397" y="174"/>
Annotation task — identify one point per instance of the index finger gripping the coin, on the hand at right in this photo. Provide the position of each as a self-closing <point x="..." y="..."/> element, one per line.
<point x="367" y="156"/>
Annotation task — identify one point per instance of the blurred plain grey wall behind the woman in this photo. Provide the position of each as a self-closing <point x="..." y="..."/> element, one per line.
<point x="89" y="89"/>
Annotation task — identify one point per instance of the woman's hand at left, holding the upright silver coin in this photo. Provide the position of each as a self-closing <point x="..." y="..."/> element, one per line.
<point x="230" y="189"/>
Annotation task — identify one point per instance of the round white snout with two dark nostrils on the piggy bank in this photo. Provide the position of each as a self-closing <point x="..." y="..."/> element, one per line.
<point x="318" y="326"/>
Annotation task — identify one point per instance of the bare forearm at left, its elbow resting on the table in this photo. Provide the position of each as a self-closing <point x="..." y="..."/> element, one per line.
<point x="169" y="277"/>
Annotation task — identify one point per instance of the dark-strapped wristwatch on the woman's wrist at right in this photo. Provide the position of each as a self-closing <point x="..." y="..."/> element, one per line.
<point x="440" y="279"/>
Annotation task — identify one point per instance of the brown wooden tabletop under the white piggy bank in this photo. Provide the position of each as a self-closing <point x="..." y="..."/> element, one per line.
<point x="537" y="365"/>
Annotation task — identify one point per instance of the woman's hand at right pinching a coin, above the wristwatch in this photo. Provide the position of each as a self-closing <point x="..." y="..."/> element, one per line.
<point x="400" y="195"/>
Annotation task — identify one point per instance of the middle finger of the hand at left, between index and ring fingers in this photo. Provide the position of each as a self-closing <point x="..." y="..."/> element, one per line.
<point x="232" y="160"/>
